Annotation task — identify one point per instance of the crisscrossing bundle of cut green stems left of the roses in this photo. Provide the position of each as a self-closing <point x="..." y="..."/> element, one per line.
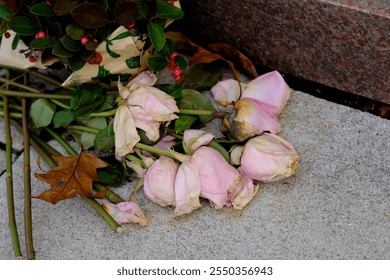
<point x="24" y="93"/>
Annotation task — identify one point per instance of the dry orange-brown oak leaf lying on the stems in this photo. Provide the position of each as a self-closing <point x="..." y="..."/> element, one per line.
<point x="73" y="175"/>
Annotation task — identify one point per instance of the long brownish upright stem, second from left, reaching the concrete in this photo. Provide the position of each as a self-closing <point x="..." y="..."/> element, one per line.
<point x="28" y="230"/>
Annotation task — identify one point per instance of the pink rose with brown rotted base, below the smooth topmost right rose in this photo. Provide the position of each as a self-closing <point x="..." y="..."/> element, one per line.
<point x="253" y="117"/>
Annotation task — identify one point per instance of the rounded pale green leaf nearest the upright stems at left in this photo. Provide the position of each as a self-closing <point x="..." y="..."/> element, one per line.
<point x="42" y="112"/>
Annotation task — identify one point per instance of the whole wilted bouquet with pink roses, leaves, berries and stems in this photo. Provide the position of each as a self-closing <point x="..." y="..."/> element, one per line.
<point x="138" y="109"/>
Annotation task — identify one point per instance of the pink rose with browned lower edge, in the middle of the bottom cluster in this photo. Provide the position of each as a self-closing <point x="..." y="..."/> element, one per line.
<point x="219" y="180"/>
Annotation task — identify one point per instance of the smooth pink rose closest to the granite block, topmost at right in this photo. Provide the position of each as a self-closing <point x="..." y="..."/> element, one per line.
<point x="269" y="88"/>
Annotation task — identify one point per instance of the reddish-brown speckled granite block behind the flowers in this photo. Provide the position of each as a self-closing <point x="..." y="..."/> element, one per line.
<point x="344" y="44"/>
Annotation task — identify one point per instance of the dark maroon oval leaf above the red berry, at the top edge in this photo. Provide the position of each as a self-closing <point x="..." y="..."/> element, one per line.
<point x="90" y="15"/>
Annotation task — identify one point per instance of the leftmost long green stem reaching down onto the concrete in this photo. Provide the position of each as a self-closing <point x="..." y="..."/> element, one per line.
<point x="9" y="181"/>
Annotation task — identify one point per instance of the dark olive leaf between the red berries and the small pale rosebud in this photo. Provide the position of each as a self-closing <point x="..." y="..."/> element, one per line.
<point x="200" y="77"/>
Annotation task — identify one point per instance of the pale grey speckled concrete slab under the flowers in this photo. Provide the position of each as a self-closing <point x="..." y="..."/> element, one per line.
<point x="337" y="205"/>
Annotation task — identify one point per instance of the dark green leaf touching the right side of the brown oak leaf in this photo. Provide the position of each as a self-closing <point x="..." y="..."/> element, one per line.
<point x="114" y="174"/>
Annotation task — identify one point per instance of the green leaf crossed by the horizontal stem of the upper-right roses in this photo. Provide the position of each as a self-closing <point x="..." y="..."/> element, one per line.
<point x="194" y="100"/>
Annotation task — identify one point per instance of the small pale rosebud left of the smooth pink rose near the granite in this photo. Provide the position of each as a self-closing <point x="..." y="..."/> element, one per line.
<point x="227" y="91"/>
